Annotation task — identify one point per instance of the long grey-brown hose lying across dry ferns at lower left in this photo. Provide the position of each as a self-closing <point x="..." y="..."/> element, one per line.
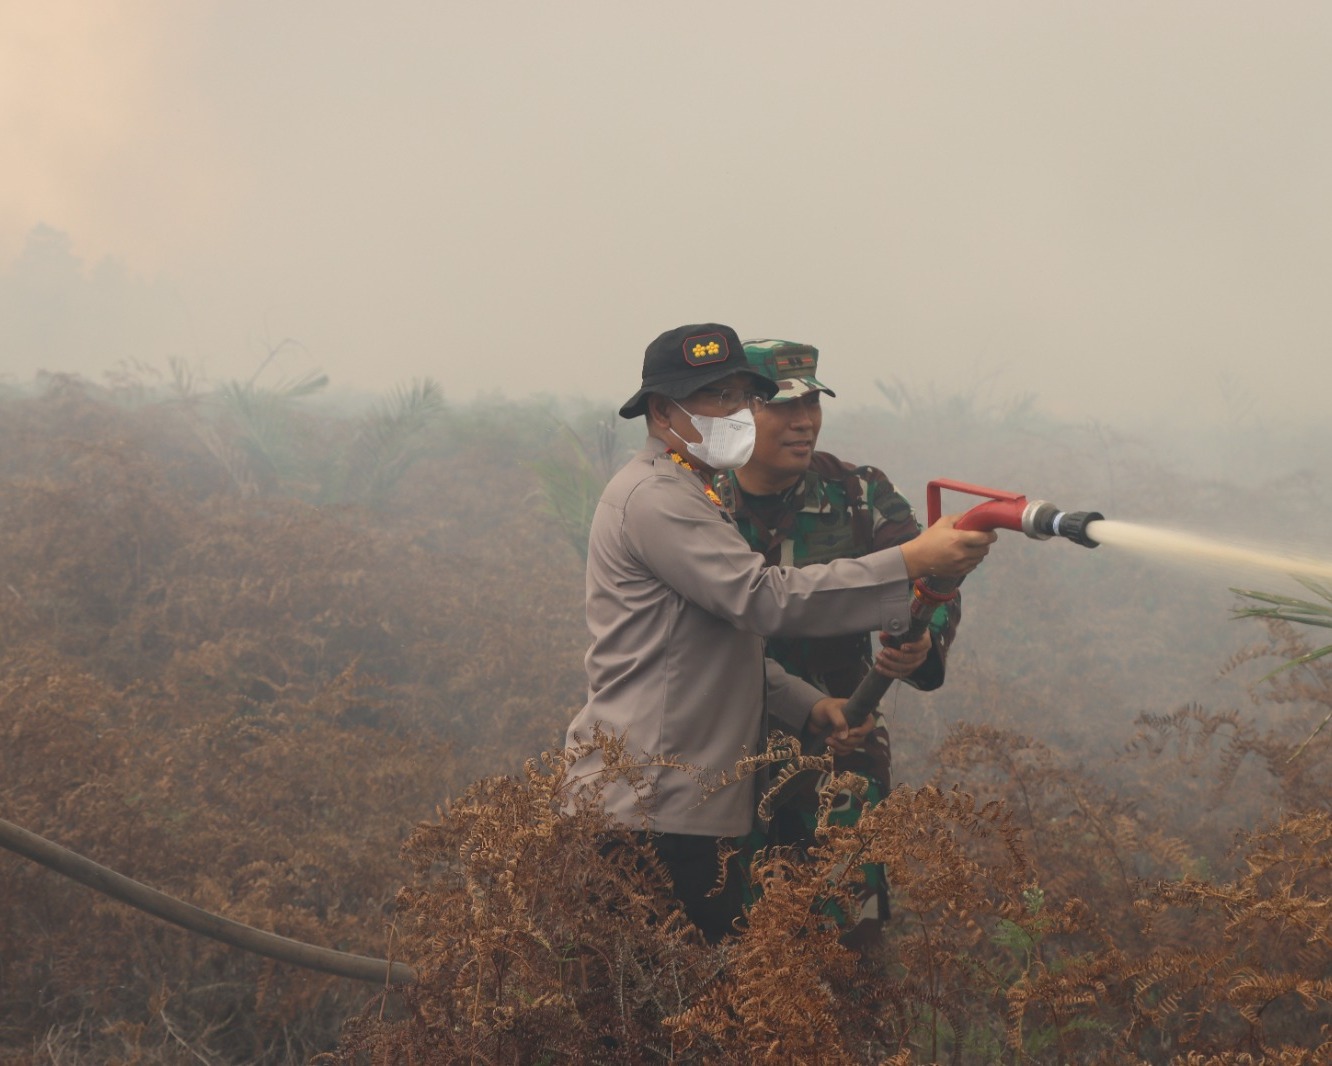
<point x="86" y="872"/>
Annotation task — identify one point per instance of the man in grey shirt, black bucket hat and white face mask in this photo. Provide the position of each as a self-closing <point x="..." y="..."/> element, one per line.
<point x="679" y="607"/>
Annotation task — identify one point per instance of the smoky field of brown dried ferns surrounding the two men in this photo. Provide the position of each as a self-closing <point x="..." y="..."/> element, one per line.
<point x="310" y="668"/>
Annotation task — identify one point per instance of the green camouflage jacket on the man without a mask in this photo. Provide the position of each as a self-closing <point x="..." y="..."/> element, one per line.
<point x="837" y="511"/>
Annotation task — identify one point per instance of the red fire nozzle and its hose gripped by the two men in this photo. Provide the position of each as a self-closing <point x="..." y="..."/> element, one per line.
<point x="1001" y="511"/>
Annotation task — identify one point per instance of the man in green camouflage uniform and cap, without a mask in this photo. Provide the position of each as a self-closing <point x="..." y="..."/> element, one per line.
<point x="797" y="506"/>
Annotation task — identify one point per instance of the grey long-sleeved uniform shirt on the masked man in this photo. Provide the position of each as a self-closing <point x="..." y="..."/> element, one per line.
<point x="679" y="607"/>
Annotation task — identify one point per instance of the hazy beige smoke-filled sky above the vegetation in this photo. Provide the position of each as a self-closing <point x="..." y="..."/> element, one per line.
<point x="1125" y="209"/>
